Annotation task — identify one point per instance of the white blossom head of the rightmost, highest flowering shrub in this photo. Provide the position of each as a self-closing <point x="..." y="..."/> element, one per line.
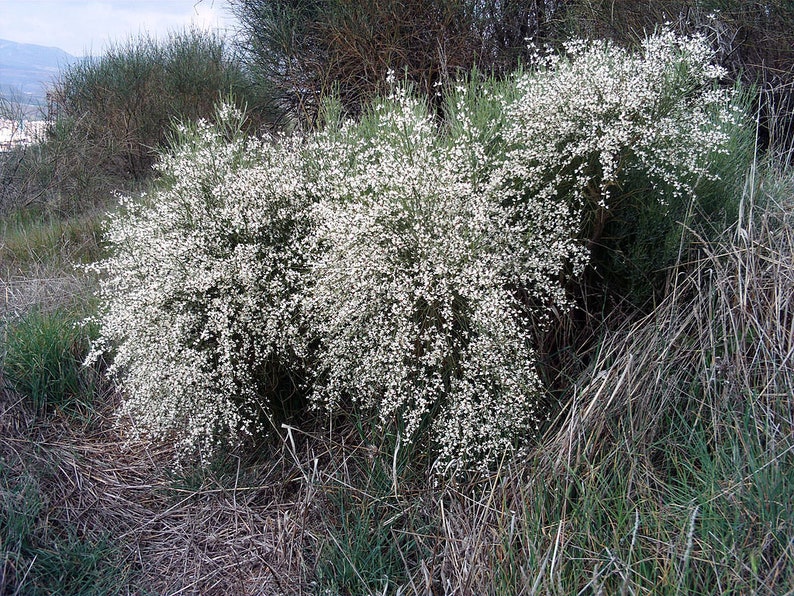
<point x="585" y="120"/>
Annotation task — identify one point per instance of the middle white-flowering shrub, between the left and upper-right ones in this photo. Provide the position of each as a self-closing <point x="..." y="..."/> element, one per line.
<point x="411" y="295"/>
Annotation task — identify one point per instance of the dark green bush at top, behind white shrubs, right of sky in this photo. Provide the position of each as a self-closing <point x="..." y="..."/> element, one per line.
<point x="306" y="51"/>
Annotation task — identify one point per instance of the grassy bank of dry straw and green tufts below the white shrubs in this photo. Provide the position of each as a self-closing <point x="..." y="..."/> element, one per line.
<point x="670" y="472"/>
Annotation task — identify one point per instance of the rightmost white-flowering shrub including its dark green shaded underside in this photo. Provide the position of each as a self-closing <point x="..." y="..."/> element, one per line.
<point x="628" y="140"/>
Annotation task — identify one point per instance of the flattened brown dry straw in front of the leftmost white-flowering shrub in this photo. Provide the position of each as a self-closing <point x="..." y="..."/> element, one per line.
<point x="232" y="532"/>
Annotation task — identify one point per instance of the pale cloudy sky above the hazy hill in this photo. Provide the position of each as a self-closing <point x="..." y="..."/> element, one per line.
<point x="86" y="27"/>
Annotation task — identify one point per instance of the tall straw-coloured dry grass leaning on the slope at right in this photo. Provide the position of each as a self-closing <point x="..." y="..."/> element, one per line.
<point x="726" y="328"/>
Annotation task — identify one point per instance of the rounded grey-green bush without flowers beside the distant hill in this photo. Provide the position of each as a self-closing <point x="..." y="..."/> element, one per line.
<point x="114" y="111"/>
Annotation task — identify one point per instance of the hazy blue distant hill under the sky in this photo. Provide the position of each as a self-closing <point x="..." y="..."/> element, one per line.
<point x="27" y="71"/>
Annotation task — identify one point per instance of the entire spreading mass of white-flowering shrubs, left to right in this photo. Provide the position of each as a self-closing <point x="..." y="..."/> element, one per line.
<point x="412" y="257"/>
